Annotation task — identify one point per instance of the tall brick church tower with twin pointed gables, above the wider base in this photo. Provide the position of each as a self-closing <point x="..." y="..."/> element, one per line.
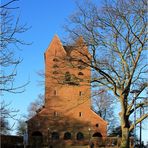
<point x="67" y="80"/>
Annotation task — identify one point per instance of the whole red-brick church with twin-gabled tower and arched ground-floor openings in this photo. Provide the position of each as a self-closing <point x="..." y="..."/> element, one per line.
<point x="66" y="119"/>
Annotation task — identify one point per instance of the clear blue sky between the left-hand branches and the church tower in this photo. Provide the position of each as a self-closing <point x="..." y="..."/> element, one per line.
<point x="45" y="19"/>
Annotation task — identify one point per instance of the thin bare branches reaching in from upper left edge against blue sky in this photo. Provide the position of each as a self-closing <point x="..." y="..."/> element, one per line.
<point x="9" y="41"/>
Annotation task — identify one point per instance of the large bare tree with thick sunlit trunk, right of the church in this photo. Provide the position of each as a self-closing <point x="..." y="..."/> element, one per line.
<point x="116" y="36"/>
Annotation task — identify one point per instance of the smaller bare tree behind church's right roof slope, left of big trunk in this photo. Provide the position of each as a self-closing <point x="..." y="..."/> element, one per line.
<point x="103" y="104"/>
